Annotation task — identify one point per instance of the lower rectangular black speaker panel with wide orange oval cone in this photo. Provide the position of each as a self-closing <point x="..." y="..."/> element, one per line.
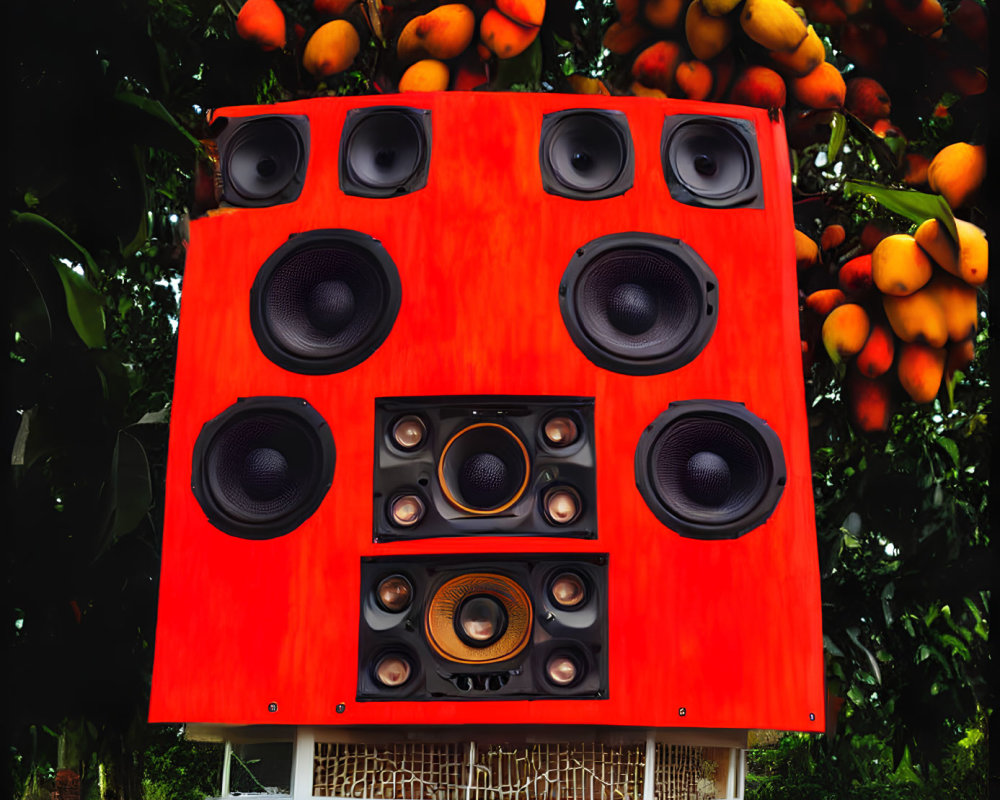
<point x="484" y="628"/>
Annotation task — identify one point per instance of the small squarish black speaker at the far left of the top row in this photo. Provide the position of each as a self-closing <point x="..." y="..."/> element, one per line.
<point x="263" y="159"/>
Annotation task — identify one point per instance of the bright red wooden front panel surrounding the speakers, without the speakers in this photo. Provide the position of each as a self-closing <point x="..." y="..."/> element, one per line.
<point x="728" y="630"/>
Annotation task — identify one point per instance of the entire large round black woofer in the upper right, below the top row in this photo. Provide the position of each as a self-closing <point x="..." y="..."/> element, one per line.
<point x="638" y="303"/>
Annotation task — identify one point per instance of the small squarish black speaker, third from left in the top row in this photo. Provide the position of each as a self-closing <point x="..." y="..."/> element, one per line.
<point x="586" y="154"/>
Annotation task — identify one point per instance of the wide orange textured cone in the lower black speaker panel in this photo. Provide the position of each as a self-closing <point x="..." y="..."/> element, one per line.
<point x="445" y="608"/>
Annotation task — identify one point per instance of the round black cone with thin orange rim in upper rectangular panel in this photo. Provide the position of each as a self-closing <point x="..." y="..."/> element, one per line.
<point x="484" y="469"/>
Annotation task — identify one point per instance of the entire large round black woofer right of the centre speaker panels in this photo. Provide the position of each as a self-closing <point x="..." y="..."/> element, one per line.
<point x="710" y="469"/>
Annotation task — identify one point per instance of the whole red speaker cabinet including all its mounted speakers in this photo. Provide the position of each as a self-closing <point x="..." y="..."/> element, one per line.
<point x="489" y="409"/>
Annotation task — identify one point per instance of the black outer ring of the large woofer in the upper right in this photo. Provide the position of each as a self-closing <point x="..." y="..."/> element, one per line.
<point x="706" y="287"/>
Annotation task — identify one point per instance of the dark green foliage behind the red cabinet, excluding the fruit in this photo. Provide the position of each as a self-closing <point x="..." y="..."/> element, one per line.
<point x="107" y="101"/>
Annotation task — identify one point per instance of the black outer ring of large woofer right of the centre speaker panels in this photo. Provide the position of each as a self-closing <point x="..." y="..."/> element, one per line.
<point x="727" y="411"/>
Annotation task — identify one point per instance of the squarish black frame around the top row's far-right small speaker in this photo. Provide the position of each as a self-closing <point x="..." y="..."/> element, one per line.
<point x="750" y="195"/>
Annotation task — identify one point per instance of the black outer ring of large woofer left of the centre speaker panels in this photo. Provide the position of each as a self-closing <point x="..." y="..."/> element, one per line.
<point x="309" y="420"/>
